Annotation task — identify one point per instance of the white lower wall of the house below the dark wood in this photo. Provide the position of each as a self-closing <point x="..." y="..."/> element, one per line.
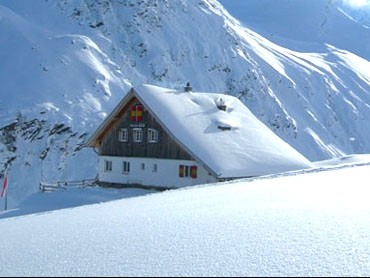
<point x="167" y="173"/>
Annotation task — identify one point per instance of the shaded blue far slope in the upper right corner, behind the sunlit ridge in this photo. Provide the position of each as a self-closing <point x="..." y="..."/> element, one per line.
<point x="316" y="23"/>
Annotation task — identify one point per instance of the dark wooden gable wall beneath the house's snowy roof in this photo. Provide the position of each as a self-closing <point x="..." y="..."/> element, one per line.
<point x="134" y="115"/>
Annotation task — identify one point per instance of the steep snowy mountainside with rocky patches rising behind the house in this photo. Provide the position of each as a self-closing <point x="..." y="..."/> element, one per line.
<point x="67" y="63"/>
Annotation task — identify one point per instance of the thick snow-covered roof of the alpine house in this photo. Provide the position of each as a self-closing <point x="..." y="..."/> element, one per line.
<point x="230" y="143"/>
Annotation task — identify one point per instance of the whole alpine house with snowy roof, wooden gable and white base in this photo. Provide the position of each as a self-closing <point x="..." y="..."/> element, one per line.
<point x="168" y="138"/>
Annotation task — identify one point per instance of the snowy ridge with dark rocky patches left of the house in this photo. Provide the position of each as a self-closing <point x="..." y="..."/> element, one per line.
<point x="56" y="86"/>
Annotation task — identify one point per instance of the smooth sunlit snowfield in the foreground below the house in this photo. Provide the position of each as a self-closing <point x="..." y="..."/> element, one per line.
<point x="311" y="224"/>
